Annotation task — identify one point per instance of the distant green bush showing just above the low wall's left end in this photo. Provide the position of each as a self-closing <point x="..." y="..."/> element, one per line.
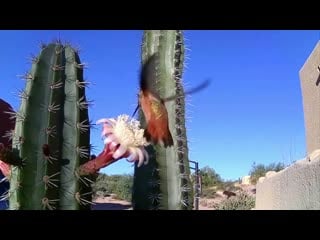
<point x="260" y="170"/>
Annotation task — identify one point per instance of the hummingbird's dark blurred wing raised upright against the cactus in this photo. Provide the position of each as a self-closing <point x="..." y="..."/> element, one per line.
<point x="148" y="76"/>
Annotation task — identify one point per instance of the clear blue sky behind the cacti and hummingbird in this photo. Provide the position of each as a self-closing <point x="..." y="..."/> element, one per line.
<point x="251" y="112"/>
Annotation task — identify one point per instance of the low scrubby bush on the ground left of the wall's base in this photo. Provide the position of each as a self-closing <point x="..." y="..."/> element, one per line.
<point x="242" y="201"/>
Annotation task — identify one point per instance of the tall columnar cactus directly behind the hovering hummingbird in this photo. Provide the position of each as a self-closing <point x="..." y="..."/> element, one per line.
<point x="164" y="183"/>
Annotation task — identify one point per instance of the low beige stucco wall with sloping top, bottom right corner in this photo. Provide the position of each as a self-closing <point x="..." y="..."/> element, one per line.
<point x="294" y="188"/>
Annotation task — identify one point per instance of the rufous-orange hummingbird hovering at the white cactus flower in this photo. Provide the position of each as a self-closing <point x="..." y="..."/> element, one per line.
<point x="153" y="106"/>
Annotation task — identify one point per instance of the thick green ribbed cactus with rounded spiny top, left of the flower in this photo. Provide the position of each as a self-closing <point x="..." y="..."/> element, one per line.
<point x="52" y="134"/>
